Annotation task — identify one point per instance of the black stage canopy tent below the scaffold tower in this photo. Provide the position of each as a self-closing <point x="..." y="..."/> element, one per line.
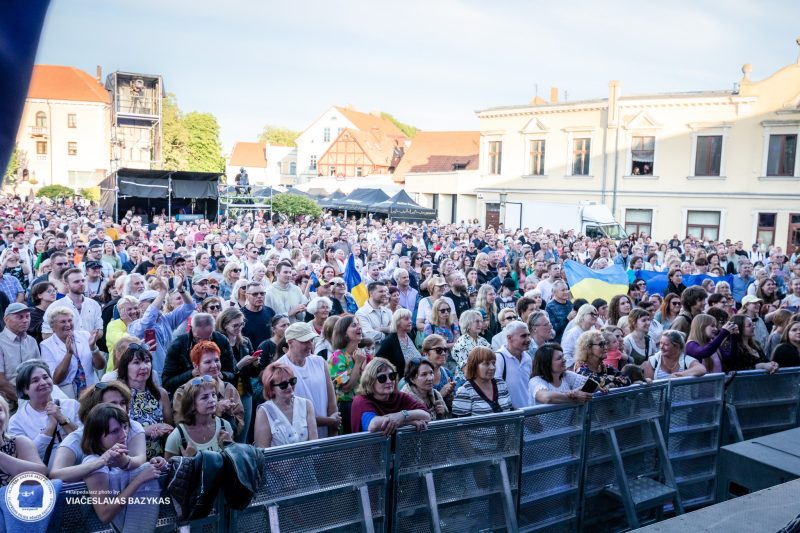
<point x="151" y="192"/>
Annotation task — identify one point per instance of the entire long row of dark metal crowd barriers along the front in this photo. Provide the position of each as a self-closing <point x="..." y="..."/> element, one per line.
<point x="631" y="453"/>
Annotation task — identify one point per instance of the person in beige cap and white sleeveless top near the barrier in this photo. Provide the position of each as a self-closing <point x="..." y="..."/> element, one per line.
<point x="314" y="382"/>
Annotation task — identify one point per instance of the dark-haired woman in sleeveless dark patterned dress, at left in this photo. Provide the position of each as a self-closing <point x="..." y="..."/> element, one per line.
<point x="149" y="404"/>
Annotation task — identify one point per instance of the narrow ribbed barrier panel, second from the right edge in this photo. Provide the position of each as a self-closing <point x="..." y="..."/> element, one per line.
<point x="693" y="427"/>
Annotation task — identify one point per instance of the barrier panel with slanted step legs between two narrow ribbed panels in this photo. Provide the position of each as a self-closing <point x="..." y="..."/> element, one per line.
<point x="626" y="457"/>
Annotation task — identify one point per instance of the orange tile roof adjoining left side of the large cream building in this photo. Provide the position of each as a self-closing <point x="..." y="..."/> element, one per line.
<point x="439" y="151"/>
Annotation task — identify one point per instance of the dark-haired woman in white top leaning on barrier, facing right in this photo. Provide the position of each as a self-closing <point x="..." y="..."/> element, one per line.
<point x="551" y="381"/>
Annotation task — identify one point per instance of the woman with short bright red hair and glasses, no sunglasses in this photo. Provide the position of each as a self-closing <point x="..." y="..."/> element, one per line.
<point x="206" y="362"/>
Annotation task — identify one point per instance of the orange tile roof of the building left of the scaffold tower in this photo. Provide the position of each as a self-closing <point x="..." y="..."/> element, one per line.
<point x="55" y="82"/>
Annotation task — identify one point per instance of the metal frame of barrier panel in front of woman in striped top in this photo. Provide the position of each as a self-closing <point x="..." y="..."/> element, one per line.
<point x="427" y="465"/>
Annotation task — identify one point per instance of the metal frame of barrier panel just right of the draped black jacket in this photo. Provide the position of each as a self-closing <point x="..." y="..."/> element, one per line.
<point x="369" y="513"/>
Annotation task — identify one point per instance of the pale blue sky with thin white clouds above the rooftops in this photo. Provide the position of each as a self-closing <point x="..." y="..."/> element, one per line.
<point x="431" y="63"/>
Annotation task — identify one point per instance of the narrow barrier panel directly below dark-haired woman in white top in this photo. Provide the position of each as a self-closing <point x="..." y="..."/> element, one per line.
<point x="552" y="467"/>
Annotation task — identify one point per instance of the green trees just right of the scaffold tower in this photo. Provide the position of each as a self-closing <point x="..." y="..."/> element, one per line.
<point x="191" y="140"/>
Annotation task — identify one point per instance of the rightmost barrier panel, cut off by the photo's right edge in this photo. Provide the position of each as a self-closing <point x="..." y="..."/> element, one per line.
<point x="758" y="404"/>
